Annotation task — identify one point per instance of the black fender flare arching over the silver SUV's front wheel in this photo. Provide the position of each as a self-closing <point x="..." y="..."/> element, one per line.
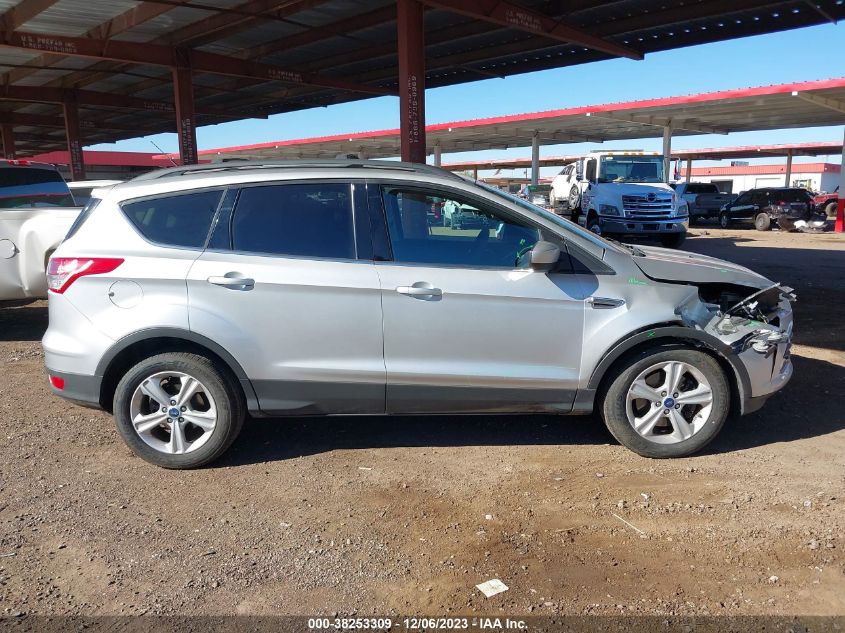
<point x="667" y="333"/>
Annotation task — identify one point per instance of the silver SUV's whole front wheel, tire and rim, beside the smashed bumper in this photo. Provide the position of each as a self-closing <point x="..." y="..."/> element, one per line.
<point x="666" y="402"/>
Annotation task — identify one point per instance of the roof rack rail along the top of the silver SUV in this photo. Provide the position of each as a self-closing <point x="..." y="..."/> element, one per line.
<point x="244" y="165"/>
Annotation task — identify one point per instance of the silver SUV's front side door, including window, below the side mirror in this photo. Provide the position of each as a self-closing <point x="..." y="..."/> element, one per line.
<point x="465" y="328"/>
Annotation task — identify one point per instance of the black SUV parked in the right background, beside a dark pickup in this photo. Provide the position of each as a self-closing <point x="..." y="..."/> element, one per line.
<point x="766" y="207"/>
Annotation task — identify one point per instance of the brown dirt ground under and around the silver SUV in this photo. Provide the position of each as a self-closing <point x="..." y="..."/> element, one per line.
<point x="406" y="515"/>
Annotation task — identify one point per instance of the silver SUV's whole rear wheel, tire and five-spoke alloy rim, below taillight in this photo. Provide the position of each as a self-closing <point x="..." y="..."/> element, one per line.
<point x="178" y="410"/>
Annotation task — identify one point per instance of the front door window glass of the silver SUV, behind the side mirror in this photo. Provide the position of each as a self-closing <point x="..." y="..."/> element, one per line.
<point x="431" y="228"/>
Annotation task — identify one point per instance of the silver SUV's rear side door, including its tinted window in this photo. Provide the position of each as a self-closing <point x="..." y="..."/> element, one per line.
<point x="286" y="287"/>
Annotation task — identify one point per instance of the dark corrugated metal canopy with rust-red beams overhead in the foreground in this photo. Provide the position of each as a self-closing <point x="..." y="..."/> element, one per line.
<point x="252" y="58"/>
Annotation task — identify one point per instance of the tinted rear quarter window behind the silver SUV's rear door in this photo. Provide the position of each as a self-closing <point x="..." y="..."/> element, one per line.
<point x="180" y="220"/>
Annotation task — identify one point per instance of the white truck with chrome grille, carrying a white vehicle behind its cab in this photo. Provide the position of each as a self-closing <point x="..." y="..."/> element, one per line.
<point x="622" y="193"/>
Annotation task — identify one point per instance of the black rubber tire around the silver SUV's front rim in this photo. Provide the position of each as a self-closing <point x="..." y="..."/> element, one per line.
<point x="613" y="401"/>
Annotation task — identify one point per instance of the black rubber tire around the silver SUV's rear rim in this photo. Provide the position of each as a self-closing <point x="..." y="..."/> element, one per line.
<point x="219" y="382"/>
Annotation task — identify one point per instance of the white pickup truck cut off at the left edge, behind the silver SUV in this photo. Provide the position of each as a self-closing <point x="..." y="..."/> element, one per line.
<point x="36" y="211"/>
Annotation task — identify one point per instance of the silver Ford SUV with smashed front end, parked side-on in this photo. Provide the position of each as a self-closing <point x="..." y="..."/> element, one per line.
<point x="186" y="299"/>
